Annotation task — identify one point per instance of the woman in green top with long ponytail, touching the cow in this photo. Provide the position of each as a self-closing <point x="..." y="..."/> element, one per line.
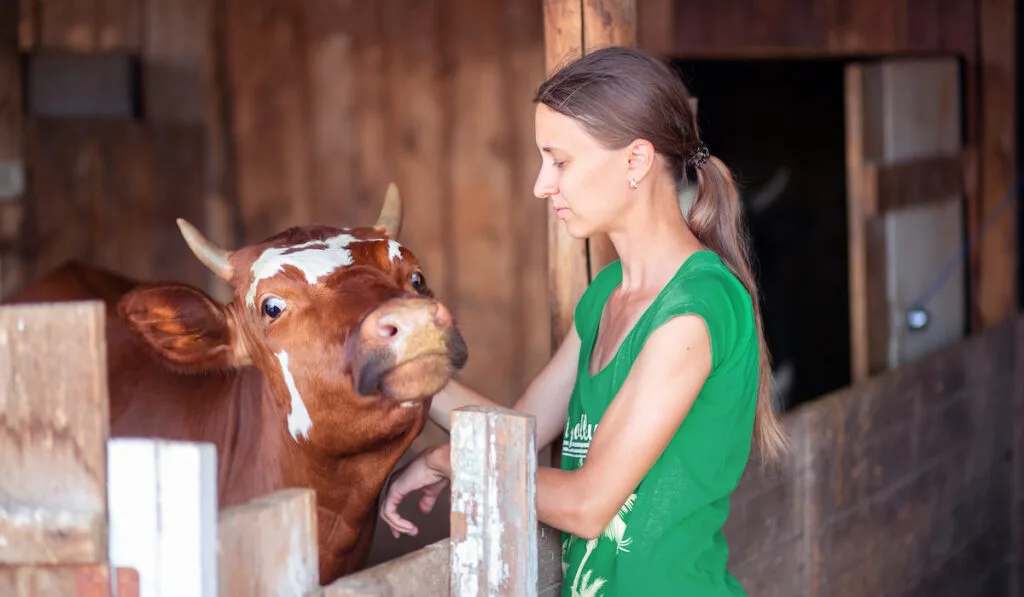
<point x="664" y="379"/>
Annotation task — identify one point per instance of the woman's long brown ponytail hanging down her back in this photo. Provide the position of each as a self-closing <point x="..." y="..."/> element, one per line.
<point x="717" y="222"/>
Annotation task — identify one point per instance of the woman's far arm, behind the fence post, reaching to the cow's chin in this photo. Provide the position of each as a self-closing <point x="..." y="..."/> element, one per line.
<point x="546" y="398"/>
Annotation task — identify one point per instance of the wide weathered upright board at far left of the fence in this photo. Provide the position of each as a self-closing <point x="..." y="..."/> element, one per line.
<point x="54" y="429"/>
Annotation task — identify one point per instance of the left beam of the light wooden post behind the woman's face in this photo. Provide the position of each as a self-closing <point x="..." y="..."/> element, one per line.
<point x="568" y="269"/>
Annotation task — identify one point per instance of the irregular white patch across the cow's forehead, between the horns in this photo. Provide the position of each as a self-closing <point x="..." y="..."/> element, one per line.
<point x="315" y="259"/>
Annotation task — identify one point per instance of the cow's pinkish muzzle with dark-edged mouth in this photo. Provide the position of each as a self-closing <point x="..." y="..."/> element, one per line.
<point x="407" y="349"/>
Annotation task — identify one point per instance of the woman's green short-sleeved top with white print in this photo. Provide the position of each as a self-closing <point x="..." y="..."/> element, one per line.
<point x="667" y="539"/>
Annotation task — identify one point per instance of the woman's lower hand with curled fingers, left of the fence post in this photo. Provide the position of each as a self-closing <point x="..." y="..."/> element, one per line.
<point x="429" y="472"/>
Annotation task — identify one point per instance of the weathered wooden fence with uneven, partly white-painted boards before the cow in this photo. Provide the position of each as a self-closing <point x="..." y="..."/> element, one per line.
<point x="87" y="516"/>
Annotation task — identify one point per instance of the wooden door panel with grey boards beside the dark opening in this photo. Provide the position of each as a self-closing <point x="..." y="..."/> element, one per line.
<point x="906" y="210"/>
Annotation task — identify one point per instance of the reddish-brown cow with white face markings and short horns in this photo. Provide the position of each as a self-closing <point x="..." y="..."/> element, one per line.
<point x="320" y="373"/>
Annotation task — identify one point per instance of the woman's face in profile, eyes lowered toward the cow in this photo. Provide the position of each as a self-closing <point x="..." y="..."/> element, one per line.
<point x="588" y="186"/>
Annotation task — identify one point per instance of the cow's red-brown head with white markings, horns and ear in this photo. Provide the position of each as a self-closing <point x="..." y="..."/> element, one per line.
<point x="340" y="322"/>
